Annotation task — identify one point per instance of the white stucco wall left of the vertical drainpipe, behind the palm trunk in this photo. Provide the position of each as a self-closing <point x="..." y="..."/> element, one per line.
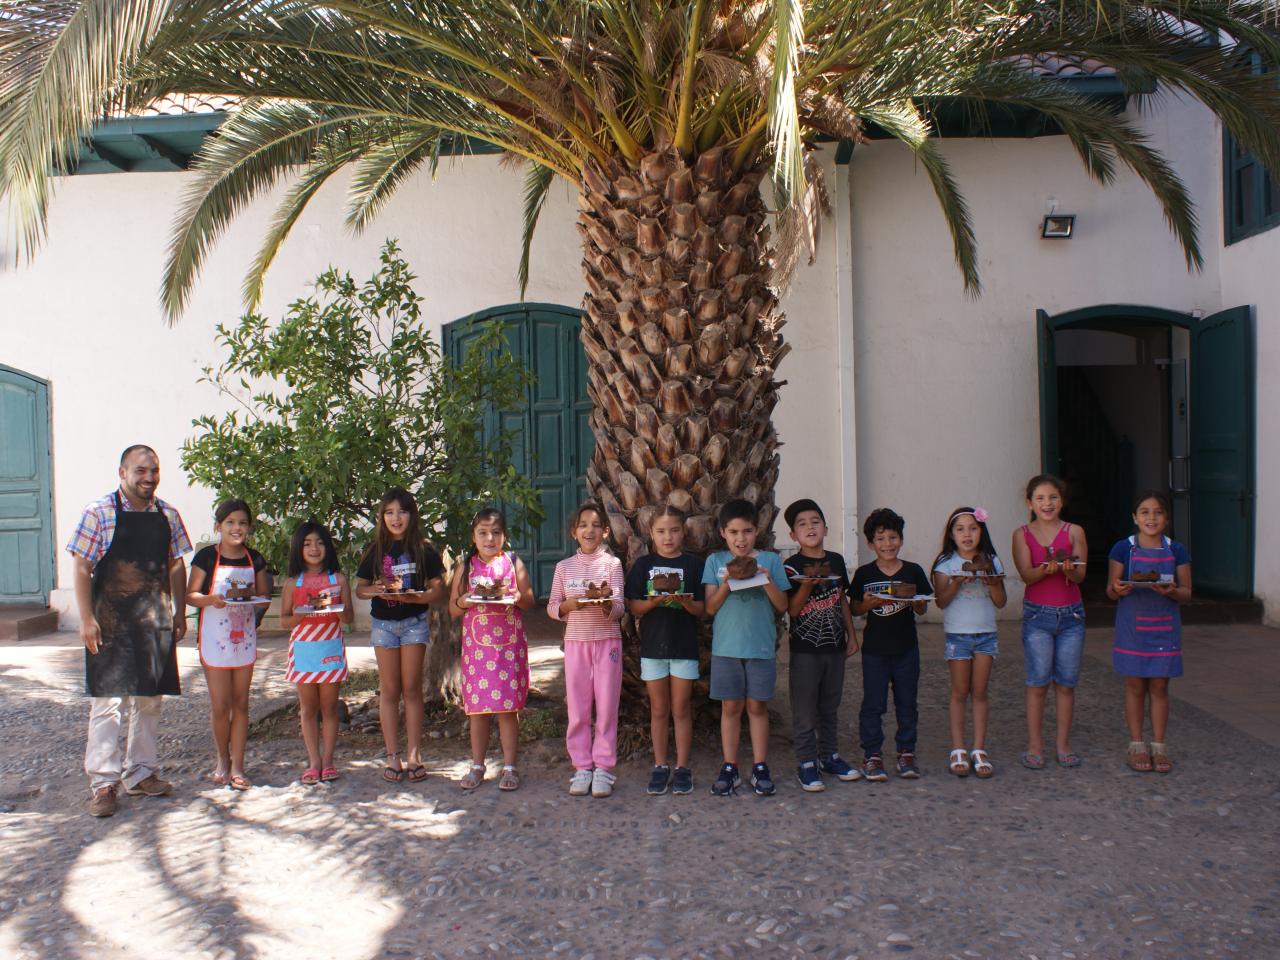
<point x="85" y="314"/>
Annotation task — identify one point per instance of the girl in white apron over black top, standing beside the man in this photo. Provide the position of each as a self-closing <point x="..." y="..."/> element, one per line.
<point x="225" y="582"/>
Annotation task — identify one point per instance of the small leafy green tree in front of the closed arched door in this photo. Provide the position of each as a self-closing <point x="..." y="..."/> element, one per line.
<point x="350" y="396"/>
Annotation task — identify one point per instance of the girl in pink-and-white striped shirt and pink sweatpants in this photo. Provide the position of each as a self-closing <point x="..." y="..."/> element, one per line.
<point x="593" y="650"/>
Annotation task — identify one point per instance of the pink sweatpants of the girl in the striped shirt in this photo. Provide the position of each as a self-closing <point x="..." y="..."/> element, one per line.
<point x="593" y="675"/>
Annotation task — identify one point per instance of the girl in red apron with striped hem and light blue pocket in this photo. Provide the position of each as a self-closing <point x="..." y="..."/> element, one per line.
<point x="318" y="656"/>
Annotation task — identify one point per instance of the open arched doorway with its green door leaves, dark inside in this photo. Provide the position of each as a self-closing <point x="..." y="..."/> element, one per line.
<point x="1137" y="397"/>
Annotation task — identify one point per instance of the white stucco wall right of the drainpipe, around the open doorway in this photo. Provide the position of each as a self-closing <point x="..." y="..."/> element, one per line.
<point x="948" y="385"/>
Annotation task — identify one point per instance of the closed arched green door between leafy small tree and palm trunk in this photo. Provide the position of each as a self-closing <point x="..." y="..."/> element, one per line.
<point x="554" y="438"/>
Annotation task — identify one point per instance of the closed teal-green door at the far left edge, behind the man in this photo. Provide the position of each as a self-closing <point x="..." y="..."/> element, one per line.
<point x="26" y="501"/>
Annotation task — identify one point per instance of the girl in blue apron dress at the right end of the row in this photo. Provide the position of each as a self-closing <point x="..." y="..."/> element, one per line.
<point x="1149" y="577"/>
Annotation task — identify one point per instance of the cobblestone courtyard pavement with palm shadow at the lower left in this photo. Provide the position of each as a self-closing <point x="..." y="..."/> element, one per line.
<point x="1090" y="863"/>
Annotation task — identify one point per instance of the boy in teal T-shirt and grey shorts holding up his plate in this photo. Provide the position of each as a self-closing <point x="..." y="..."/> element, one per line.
<point x="744" y="643"/>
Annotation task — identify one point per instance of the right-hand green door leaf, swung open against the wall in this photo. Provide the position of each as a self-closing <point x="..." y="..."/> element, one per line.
<point x="1222" y="452"/>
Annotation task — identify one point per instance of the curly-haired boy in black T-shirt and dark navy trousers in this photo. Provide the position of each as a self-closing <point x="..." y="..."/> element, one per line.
<point x="892" y="652"/>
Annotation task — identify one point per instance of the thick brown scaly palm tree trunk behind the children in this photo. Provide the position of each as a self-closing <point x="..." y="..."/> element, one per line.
<point x="682" y="339"/>
